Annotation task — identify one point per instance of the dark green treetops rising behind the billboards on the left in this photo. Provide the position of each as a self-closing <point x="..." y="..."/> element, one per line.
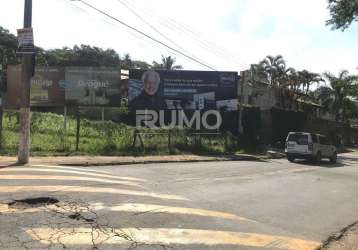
<point x="83" y="55"/>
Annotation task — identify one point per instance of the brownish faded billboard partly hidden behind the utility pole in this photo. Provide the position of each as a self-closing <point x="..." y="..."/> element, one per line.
<point x="45" y="91"/>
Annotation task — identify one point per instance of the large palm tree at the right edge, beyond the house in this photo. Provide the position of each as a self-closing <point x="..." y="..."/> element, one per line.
<point x="341" y="96"/>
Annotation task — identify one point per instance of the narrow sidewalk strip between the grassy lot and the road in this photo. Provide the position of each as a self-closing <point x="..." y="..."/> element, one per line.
<point x="125" y="160"/>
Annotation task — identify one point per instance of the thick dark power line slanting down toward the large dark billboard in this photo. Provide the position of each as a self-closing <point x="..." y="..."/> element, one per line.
<point x="146" y="35"/>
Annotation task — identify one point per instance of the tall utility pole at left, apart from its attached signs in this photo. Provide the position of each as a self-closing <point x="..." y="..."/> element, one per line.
<point x="26" y="74"/>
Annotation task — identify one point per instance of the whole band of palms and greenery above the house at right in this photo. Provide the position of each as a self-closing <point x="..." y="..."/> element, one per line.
<point x="338" y="95"/>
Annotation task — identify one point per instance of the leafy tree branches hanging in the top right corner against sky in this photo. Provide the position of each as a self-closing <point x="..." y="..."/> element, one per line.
<point x="343" y="13"/>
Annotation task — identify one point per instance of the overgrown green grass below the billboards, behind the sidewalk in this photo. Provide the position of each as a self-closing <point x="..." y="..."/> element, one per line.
<point x="105" y="138"/>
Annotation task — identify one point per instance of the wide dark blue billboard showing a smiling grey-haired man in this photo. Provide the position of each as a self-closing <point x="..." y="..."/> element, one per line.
<point x="183" y="90"/>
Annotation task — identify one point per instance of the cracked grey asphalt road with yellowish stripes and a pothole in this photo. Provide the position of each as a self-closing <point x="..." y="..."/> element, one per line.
<point x="212" y="205"/>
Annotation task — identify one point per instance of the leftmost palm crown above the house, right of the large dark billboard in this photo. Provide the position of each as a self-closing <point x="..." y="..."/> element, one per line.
<point x="274" y="68"/>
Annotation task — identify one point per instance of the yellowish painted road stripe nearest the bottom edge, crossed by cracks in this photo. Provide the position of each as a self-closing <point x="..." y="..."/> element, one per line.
<point x="167" y="236"/>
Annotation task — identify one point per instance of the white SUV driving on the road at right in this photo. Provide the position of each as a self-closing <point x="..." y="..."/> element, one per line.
<point x="309" y="146"/>
